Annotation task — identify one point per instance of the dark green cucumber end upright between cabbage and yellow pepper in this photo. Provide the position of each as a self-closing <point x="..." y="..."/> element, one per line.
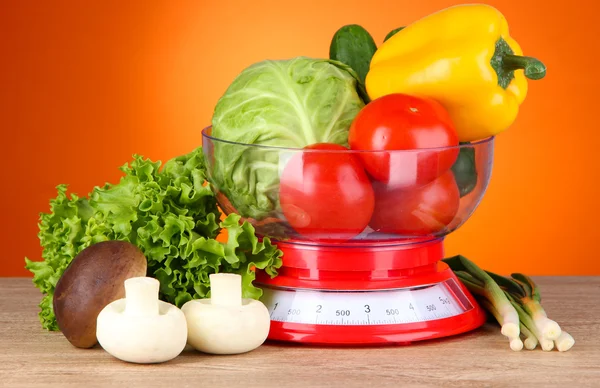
<point x="354" y="46"/>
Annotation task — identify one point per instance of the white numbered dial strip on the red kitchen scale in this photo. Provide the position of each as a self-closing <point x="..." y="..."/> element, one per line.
<point x="371" y="307"/>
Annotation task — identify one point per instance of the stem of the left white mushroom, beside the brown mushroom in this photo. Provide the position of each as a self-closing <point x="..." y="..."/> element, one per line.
<point x="141" y="296"/>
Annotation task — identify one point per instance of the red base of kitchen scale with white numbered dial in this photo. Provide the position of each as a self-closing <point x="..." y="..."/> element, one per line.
<point x="318" y="306"/>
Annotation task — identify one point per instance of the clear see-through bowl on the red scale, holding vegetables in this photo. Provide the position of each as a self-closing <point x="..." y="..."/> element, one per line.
<point x="346" y="196"/>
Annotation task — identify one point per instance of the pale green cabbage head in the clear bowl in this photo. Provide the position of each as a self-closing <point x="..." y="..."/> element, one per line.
<point x="288" y="103"/>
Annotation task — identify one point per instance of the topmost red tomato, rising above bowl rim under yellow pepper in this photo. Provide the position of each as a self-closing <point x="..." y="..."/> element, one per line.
<point x="403" y="122"/>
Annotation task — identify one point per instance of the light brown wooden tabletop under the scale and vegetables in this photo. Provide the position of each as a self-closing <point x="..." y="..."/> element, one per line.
<point x="32" y="357"/>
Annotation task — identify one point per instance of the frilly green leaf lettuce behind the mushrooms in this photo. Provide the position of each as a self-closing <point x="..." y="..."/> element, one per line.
<point x="170" y="214"/>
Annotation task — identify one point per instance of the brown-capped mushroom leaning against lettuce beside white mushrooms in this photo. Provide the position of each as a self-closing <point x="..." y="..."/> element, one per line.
<point x="93" y="279"/>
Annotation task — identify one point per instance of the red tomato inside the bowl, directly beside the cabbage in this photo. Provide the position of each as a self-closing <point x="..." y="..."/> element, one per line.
<point x="326" y="195"/>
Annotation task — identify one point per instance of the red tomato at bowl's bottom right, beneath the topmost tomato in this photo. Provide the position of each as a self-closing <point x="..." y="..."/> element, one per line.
<point x="416" y="212"/>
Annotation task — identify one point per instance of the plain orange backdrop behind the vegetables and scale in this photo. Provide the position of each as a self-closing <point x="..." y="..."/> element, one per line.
<point x="85" y="84"/>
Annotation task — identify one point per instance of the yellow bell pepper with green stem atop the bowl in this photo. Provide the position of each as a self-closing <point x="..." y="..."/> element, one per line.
<point x="464" y="58"/>
